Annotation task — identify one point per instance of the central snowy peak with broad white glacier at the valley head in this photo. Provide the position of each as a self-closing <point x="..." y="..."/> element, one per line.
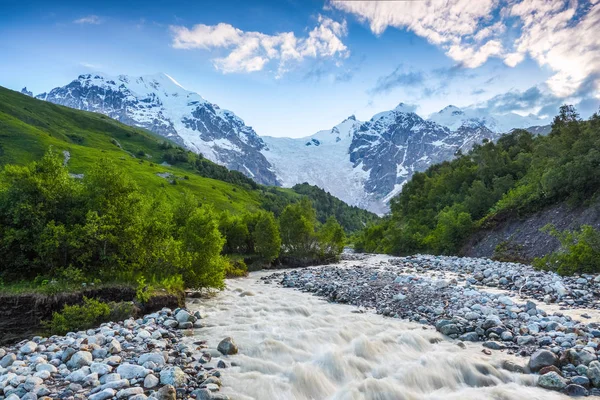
<point x="364" y="163"/>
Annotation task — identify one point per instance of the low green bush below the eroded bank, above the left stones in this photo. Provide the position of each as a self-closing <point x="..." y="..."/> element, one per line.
<point x="79" y="317"/>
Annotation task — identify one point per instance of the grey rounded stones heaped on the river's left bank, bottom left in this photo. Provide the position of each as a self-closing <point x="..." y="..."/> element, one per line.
<point x="134" y="359"/>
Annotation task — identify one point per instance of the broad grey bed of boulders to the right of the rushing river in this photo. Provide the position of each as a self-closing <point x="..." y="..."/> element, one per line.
<point x="477" y="300"/>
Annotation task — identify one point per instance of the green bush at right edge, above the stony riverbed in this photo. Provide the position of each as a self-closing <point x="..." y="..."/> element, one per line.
<point x="579" y="251"/>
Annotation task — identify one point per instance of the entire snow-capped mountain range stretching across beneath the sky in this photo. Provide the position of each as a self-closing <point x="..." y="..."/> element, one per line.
<point x="364" y="163"/>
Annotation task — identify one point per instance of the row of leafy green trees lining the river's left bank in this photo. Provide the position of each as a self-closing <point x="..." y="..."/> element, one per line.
<point x="54" y="227"/>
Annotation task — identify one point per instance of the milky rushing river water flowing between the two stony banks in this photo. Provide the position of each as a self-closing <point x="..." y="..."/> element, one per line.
<point x="293" y="345"/>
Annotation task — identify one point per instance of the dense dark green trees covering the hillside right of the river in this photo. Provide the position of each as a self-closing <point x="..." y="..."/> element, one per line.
<point x="519" y="174"/>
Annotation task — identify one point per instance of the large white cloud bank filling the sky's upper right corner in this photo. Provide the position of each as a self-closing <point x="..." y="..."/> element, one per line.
<point x="559" y="34"/>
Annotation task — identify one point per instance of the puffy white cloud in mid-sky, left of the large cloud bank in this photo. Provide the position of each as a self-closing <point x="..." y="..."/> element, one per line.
<point x="252" y="51"/>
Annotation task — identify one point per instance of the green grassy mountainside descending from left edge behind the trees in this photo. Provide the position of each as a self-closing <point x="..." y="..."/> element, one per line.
<point x="28" y="127"/>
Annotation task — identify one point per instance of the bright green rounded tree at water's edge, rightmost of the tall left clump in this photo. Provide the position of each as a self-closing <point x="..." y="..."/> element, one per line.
<point x="203" y="241"/>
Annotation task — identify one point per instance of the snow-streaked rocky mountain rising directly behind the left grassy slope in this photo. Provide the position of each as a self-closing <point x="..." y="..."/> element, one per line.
<point x="160" y="104"/>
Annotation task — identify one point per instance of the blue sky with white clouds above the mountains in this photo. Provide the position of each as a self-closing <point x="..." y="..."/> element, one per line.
<point x="294" y="67"/>
